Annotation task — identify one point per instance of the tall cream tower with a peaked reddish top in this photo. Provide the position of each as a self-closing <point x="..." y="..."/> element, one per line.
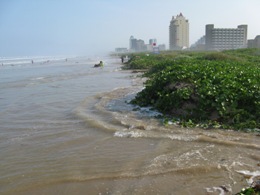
<point x="178" y="33"/>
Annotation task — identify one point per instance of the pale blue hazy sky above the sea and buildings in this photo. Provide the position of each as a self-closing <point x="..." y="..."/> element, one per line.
<point x="87" y="27"/>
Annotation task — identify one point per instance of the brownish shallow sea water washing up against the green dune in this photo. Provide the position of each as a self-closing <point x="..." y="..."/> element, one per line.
<point x="67" y="128"/>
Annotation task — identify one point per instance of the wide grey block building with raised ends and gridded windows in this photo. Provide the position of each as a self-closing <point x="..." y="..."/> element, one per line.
<point x="225" y="38"/>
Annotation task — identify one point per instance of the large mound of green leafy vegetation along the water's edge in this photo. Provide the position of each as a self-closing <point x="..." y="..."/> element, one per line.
<point x="202" y="89"/>
